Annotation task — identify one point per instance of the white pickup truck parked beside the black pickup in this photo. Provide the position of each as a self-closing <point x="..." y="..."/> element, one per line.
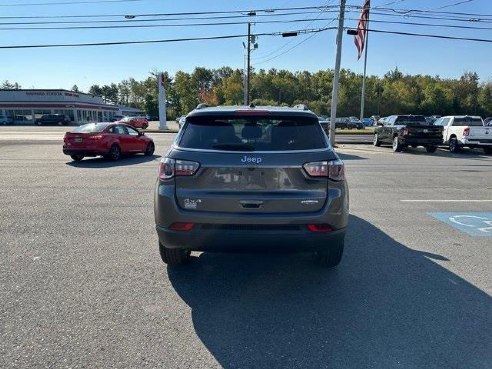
<point x="465" y="130"/>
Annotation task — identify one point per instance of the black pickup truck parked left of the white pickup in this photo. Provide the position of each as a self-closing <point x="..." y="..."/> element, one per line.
<point x="408" y="130"/>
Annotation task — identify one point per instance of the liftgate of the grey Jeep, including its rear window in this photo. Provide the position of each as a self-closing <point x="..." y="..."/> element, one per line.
<point x="253" y="164"/>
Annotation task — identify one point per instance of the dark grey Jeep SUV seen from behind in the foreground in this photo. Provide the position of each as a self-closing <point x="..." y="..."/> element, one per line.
<point x="249" y="179"/>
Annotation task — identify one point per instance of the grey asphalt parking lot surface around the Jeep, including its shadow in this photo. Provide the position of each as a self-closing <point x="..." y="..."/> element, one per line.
<point x="82" y="284"/>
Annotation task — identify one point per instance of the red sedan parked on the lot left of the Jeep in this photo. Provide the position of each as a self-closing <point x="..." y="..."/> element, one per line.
<point x="110" y="140"/>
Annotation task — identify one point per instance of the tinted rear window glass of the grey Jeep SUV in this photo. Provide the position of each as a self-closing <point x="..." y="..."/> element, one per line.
<point x="252" y="133"/>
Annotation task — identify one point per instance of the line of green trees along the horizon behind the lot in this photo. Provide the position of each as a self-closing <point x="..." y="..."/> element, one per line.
<point x="393" y="93"/>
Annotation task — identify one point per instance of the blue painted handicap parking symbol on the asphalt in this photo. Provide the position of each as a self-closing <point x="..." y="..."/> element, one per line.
<point x="477" y="224"/>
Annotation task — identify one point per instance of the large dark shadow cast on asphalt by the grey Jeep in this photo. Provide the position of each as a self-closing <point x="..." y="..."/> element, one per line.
<point x="385" y="306"/>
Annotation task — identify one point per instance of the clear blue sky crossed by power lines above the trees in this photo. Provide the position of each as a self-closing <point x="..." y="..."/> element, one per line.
<point x="85" y="66"/>
